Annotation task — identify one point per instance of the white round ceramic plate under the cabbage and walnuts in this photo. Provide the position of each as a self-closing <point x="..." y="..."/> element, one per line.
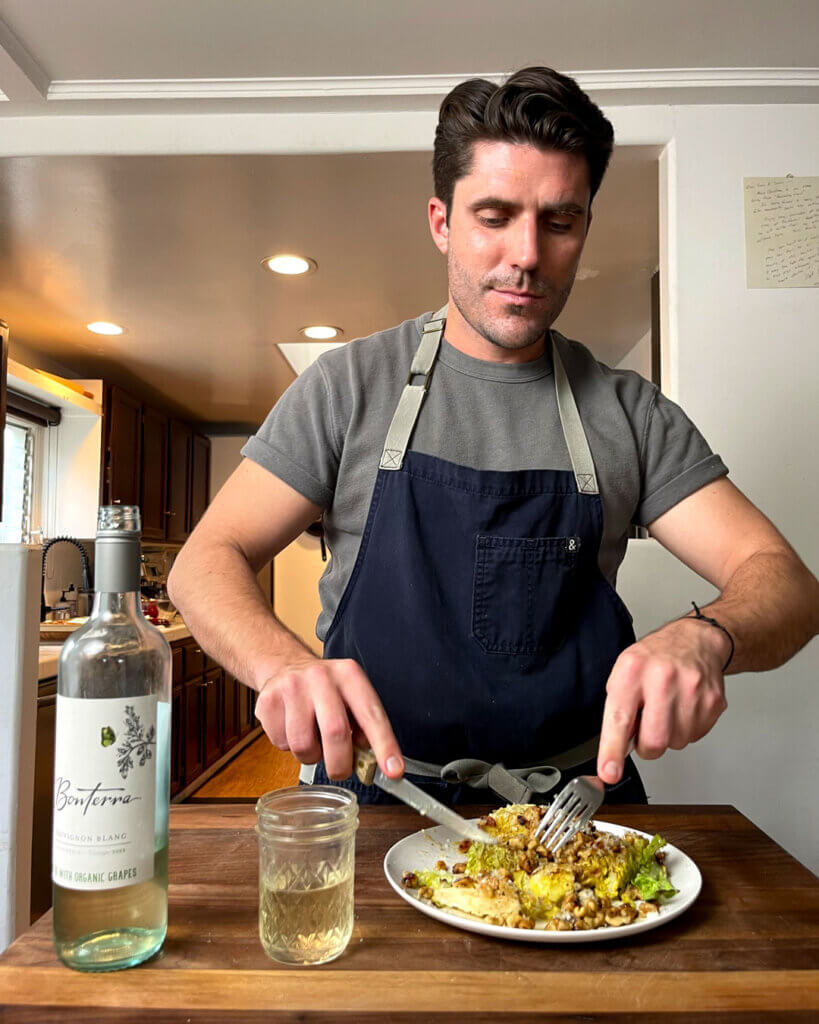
<point x="422" y="849"/>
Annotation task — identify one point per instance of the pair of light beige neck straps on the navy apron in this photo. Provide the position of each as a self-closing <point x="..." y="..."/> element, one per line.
<point x="409" y="408"/>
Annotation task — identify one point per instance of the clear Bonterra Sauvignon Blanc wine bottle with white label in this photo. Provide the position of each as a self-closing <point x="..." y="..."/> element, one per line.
<point x="112" y="769"/>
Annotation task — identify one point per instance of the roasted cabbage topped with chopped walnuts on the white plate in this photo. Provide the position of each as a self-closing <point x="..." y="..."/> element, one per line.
<point x="596" y="881"/>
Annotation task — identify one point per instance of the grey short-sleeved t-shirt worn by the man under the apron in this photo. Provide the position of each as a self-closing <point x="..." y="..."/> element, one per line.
<point x="326" y="434"/>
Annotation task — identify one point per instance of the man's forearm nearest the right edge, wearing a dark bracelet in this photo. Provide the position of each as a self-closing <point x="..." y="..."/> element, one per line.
<point x="771" y="609"/>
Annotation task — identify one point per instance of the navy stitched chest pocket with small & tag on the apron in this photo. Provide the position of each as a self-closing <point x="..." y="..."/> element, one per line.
<point x="523" y="598"/>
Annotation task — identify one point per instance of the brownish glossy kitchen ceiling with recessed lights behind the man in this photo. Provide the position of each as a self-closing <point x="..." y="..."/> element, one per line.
<point x="170" y="248"/>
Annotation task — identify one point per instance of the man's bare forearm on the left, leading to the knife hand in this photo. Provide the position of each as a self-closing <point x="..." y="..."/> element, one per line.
<point x="219" y="595"/>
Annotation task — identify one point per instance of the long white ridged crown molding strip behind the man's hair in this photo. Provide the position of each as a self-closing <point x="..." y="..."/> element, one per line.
<point x="419" y="86"/>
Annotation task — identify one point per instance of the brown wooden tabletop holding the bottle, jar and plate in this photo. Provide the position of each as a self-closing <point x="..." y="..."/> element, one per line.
<point x="749" y="950"/>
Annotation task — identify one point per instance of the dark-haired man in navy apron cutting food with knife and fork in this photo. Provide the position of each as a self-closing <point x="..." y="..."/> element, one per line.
<point x="478" y="475"/>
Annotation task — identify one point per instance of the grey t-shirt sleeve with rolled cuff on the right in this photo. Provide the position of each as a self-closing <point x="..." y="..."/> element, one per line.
<point x="676" y="460"/>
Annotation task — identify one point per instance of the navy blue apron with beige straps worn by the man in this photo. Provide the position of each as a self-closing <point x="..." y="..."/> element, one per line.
<point x="479" y="612"/>
